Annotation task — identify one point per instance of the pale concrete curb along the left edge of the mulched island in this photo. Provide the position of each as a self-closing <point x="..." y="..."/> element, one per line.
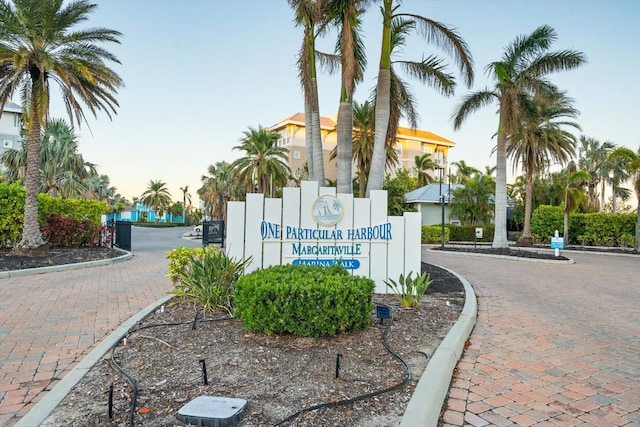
<point x="39" y="413"/>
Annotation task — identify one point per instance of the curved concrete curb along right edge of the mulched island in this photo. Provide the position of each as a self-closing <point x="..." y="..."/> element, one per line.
<point x="432" y="388"/>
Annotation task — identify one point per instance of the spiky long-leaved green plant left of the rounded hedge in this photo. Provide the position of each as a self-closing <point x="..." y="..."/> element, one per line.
<point x="209" y="279"/>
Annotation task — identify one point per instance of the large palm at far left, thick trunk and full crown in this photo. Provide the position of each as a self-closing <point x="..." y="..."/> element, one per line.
<point x="38" y="45"/>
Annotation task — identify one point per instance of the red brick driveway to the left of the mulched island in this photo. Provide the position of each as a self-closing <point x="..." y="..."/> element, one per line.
<point x="49" y="322"/>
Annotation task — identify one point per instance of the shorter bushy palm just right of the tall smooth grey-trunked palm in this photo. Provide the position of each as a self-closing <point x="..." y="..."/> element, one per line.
<point x="539" y="141"/>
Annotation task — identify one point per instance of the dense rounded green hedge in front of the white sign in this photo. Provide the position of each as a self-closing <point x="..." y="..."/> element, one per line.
<point x="304" y="300"/>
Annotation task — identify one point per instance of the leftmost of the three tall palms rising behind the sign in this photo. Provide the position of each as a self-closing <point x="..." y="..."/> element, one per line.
<point x="311" y="14"/>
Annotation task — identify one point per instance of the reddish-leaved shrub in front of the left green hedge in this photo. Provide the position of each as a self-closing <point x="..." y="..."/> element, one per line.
<point x="69" y="232"/>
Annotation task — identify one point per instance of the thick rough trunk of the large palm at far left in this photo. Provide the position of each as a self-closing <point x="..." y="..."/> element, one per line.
<point x="31" y="242"/>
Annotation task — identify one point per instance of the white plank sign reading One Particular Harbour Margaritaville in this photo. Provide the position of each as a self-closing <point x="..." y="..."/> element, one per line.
<point x="313" y="225"/>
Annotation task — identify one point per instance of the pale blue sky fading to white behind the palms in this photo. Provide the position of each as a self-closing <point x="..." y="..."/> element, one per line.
<point x="198" y="73"/>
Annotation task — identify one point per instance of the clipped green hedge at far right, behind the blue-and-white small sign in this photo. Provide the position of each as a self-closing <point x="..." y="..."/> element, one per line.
<point x="589" y="229"/>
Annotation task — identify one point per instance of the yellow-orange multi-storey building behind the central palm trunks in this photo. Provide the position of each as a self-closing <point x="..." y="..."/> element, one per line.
<point x="409" y="143"/>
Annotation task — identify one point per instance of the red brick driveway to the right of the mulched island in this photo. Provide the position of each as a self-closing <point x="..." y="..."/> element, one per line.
<point x="554" y="345"/>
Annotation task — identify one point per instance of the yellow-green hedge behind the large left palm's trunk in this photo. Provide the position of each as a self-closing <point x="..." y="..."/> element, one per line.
<point x="12" y="211"/>
